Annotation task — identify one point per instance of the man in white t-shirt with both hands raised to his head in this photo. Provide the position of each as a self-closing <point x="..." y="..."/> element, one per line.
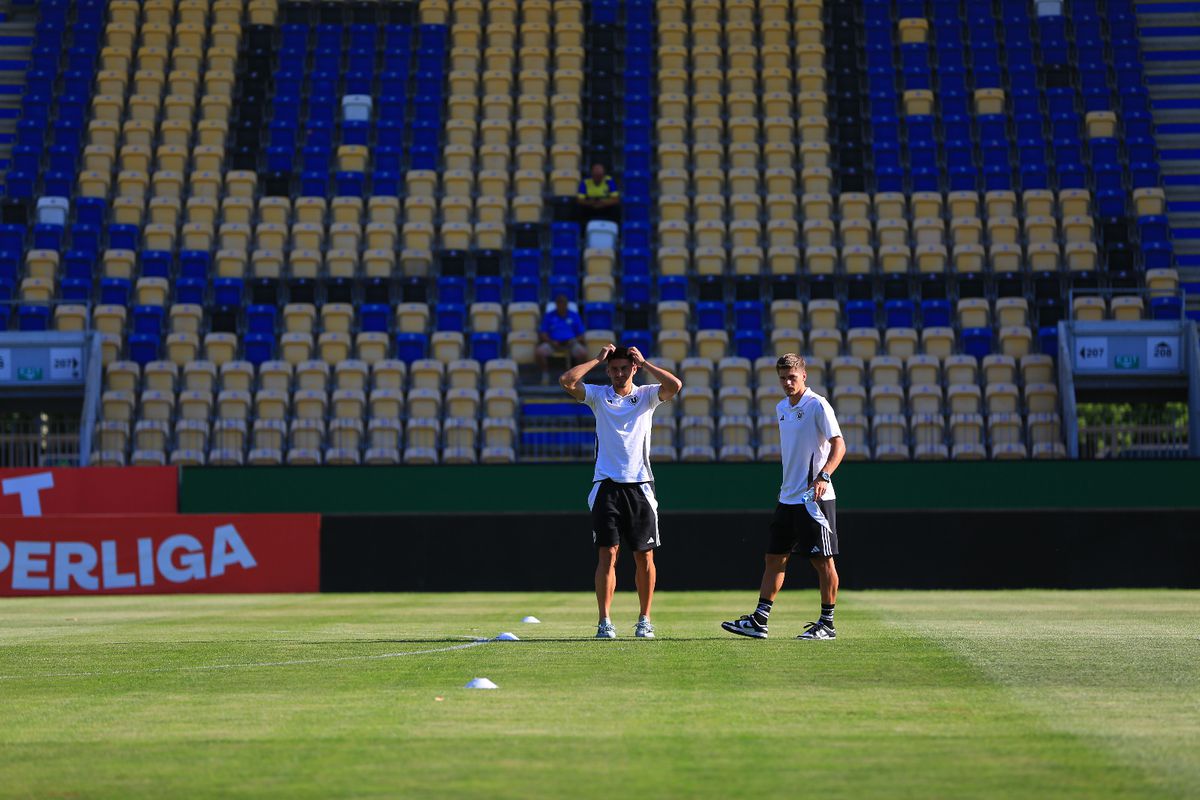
<point x="622" y="500"/>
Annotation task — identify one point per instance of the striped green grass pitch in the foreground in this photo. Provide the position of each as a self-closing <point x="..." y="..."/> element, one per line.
<point x="925" y="695"/>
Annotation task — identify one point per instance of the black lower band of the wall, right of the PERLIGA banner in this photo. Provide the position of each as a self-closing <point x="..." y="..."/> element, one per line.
<point x="902" y="550"/>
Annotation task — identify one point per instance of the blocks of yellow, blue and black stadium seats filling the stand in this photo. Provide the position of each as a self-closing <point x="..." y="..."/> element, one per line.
<point x="328" y="232"/>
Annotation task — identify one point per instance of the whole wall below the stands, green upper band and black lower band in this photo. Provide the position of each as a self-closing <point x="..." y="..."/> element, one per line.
<point x="992" y="525"/>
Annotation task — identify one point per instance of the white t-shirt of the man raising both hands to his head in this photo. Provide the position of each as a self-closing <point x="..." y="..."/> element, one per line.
<point x="623" y="431"/>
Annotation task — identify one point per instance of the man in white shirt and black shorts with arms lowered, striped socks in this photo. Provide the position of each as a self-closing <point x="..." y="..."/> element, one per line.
<point x="806" y="519"/>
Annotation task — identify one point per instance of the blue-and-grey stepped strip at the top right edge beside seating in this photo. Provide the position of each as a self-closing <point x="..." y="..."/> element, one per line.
<point x="1171" y="43"/>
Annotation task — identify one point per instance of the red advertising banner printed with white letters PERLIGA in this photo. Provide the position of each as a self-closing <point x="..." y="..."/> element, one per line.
<point x="159" y="555"/>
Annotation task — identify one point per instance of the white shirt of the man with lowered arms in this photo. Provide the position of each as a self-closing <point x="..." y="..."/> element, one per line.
<point x="805" y="435"/>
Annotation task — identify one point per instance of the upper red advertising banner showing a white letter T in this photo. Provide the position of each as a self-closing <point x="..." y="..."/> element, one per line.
<point x="89" y="490"/>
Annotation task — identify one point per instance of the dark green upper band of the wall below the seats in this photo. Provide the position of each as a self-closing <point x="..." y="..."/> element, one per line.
<point x="692" y="488"/>
